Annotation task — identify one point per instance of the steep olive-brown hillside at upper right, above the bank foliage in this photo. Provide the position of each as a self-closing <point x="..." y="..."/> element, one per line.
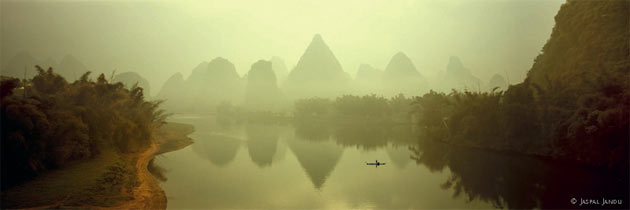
<point x="590" y="38"/>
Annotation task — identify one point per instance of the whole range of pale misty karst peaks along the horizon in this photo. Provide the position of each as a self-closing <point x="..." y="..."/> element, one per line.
<point x="269" y="83"/>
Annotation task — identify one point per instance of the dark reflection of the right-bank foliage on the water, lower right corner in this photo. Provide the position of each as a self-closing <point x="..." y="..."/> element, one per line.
<point x="519" y="182"/>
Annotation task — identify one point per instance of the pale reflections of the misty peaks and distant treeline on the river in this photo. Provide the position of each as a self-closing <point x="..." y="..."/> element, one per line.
<point x="312" y="145"/>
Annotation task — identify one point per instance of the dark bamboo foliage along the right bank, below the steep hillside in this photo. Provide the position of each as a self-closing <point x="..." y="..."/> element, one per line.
<point x="594" y="133"/>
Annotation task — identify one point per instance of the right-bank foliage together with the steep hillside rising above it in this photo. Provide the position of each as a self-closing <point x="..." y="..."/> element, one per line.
<point x="573" y="105"/>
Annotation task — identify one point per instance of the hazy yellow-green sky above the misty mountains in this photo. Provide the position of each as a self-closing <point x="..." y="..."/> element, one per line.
<point x="159" y="38"/>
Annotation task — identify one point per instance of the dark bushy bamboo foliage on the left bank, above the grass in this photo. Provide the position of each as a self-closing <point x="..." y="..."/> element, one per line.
<point x="47" y="122"/>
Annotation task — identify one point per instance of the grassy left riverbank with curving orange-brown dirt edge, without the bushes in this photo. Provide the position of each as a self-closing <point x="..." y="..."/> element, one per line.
<point x="110" y="181"/>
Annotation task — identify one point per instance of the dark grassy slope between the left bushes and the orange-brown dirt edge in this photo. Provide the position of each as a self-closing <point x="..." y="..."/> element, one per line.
<point x="103" y="181"/>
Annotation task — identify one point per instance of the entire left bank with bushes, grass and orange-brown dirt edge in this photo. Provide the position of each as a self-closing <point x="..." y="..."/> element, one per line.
<point x="84" y="144"/>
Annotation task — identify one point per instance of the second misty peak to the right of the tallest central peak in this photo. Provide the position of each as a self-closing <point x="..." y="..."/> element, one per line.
<point x="401" y="76"/>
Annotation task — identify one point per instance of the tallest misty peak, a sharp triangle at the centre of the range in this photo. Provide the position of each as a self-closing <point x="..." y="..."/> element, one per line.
<point x="317" y="73"/>
